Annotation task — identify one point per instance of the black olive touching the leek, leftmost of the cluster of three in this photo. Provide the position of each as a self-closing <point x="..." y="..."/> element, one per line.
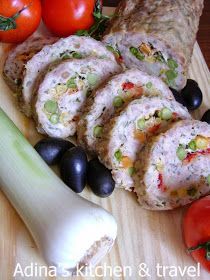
<point x="52" y="149"/>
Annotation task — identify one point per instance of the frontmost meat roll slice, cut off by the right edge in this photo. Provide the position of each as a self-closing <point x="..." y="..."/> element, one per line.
<point x="174" y="168"/>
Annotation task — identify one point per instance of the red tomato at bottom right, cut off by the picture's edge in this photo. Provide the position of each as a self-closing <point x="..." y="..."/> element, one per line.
<point x="196" y="230"/>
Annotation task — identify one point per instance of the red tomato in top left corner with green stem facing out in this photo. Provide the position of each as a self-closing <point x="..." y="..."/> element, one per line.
<point x="27" y="19"/>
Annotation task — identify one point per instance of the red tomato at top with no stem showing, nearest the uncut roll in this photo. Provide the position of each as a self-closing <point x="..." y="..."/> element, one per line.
<point x="65" y="17"/>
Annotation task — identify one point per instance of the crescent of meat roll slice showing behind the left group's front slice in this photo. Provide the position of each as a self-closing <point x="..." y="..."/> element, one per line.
<point x="71" y="47"/>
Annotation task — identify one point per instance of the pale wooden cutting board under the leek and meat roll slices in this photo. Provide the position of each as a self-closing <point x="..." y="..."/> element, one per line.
<point x="144" y="237"/>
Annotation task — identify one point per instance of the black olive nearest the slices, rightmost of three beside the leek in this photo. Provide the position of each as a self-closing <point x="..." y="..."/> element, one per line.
<point x="100" y="178"/>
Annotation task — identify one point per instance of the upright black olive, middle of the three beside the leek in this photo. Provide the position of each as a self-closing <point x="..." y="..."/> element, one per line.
<point x="73" y="169"/>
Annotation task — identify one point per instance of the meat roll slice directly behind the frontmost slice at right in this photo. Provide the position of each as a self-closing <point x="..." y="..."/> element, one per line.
<point x="125" y="135"/>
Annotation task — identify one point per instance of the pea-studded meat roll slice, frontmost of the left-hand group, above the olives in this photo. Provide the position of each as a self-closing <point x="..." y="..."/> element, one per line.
<point x="62" y="93"/>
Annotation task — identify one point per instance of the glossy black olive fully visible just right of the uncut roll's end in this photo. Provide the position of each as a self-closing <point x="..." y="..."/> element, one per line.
<point x="192" y="95"/>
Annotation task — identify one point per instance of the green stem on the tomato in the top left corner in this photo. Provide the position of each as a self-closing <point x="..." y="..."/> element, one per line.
<point x="8" y="23"/>
